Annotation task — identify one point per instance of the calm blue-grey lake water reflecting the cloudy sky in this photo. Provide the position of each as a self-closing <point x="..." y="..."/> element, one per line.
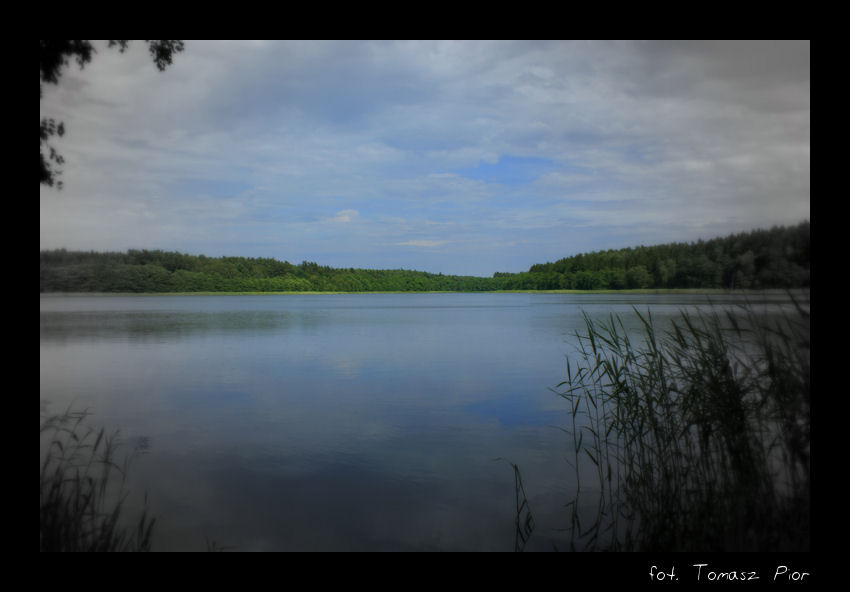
<point x="350" y="422"/>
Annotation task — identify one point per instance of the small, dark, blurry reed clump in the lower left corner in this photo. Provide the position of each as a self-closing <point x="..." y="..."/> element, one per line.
<point x="82" y="490"/>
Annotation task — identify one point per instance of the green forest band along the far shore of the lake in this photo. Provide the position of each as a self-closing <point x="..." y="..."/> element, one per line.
<point x="760" y="259"/>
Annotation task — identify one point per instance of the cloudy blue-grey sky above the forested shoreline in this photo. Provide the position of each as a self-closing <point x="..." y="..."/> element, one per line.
<point x="455" y="157"/>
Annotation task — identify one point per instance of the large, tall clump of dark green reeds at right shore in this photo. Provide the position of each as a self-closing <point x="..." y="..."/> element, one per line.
<point x="696" y="438"/>
